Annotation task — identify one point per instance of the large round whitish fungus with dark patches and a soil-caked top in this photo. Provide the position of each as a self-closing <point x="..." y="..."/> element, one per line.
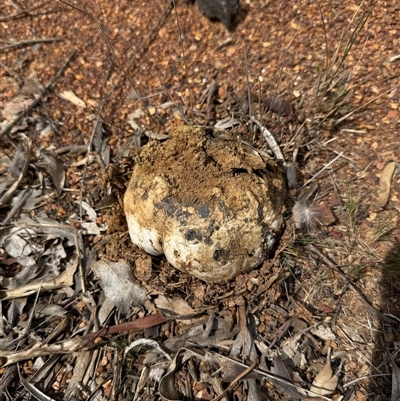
<point x="210" y="203"/>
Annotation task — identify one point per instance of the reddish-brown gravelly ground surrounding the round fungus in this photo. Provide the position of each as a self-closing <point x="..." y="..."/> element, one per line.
<point x="158" y="62"/>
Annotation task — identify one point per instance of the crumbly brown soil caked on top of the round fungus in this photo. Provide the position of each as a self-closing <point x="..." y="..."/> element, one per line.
<point x="196" y="161"/>
